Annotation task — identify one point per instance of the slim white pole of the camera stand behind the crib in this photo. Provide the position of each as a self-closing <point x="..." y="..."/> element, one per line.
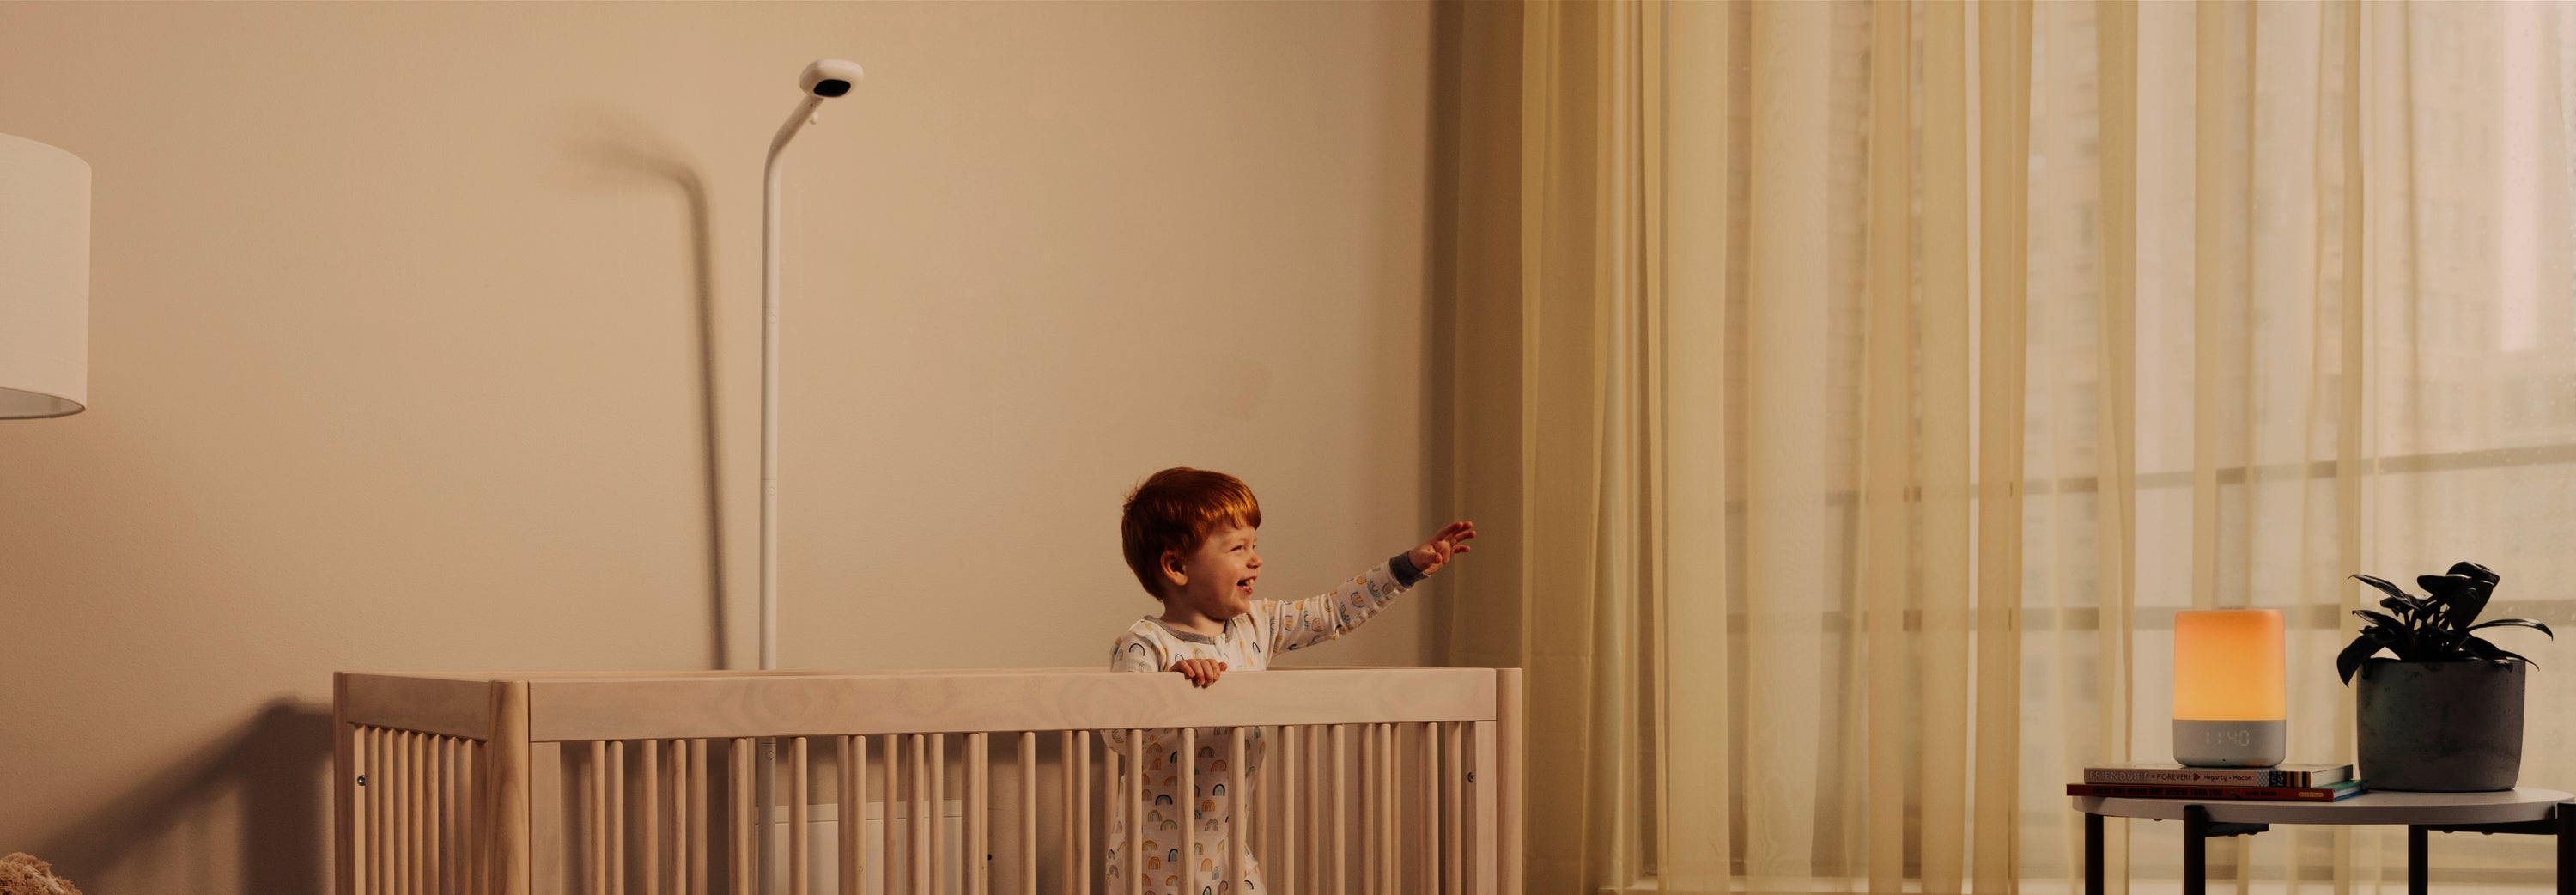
<point x="769" y="466"/>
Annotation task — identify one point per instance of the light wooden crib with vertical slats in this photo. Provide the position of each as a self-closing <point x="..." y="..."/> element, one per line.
<point x="1377" y="780"/>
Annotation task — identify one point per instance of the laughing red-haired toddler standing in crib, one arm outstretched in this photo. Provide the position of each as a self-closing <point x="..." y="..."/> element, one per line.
<point x="1194" y="540"/>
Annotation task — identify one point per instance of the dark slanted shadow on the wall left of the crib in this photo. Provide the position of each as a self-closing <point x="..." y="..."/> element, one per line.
<point x="251" y="803"/>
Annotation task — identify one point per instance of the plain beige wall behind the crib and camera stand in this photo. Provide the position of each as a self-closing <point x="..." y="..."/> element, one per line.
<point x="398" y="360"/>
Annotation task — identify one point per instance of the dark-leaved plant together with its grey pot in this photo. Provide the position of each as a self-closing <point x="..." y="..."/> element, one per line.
<point x="2446" y="713"/>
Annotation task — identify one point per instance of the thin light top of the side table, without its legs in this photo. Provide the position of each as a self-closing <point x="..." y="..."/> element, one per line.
<point x="2428" y="809"/>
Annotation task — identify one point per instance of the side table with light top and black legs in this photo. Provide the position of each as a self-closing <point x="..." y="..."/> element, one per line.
<point x="2513" y="811"/>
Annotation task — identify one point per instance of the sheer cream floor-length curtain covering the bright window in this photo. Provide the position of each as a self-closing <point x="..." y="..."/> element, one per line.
<point x="1853" y="391"/>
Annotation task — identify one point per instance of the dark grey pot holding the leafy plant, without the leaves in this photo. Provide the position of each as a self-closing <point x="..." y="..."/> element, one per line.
<point x="2441" y="726"/>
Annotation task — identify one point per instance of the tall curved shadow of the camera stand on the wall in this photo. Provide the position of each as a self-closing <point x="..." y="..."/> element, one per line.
<point x="622" y="148"/>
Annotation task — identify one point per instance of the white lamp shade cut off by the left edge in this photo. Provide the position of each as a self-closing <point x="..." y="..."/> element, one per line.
<point x="45" y="280"/>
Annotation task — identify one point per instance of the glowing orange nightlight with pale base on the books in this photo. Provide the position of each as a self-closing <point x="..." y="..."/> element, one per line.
<point x="2230" y="690"/>
